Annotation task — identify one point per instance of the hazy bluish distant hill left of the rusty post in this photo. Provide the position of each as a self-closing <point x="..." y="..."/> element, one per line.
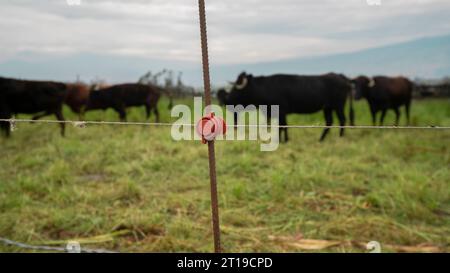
<point x="111" y="68"/>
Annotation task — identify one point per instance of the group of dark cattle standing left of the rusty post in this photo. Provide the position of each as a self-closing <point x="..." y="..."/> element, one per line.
<point x="43" y="98"/>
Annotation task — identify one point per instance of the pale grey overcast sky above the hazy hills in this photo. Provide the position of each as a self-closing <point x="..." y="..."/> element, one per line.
<point x="240" y="31"/>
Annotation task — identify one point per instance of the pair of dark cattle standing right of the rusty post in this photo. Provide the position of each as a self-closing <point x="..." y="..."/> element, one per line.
<point x="327" y="93"/>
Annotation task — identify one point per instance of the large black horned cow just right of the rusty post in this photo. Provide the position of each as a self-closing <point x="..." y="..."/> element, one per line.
<point x="295" y="94"/>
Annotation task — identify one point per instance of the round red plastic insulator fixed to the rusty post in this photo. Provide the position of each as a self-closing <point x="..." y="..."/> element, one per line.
<point x="210" y="126"/>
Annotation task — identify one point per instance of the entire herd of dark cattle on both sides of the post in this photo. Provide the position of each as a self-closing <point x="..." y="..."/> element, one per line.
<point x="294" y="94"/>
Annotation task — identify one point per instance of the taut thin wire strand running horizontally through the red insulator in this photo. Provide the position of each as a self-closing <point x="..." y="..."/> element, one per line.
<point x="167" y="124"/>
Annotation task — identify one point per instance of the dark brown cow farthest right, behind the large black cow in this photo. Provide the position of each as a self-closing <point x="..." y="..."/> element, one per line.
<point x="383" y="93"/>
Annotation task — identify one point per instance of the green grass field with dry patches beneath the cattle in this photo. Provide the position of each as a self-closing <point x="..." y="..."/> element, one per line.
<point x="134" y="189"/>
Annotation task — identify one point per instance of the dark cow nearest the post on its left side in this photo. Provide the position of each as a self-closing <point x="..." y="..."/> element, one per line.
<point x="119" y="97"/>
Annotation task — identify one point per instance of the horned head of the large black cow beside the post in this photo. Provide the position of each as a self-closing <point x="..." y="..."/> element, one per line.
<point x="241" y="93"/>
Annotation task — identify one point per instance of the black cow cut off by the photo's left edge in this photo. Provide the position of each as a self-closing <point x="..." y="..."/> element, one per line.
<point x="31" y="97"/>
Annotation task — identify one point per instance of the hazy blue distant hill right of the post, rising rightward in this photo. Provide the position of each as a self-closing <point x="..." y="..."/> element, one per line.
<point x="425" y="58"/>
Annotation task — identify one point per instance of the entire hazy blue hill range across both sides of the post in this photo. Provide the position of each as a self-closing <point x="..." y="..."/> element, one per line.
<point x="424" y="58"/>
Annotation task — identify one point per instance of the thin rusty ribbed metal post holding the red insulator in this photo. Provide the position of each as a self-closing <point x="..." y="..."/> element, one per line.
<point x="211" y="150"/>
